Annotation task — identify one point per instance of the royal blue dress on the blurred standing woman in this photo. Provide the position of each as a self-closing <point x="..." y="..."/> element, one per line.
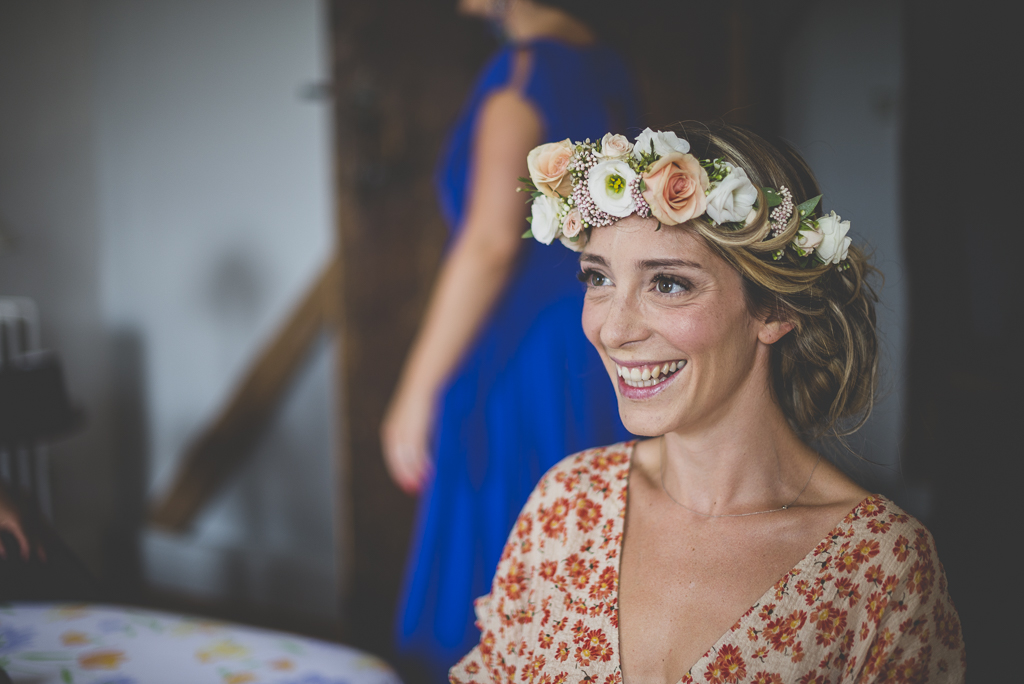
<point x="531" y="391"/>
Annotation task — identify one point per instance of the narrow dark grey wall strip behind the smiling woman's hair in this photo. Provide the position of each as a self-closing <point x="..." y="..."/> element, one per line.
<point x="844" y="79"/>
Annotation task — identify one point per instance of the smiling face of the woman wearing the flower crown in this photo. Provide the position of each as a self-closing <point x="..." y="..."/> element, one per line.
<point x="670" y="321"/>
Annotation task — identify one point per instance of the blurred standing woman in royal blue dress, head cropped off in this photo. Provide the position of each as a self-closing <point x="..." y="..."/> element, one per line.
<point x="500" y="383"/>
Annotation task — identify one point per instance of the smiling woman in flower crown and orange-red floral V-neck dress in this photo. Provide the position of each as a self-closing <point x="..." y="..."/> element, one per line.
<point x="734" y="319"/>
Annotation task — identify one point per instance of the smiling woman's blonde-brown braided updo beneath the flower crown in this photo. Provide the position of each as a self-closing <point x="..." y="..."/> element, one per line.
<point x="825" y="372"/>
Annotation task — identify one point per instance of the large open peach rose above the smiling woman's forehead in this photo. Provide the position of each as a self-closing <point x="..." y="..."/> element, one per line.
<point x="676" y="186"/>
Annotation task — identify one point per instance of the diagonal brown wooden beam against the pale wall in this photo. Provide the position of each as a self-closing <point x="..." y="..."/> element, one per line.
<point x="229" y="441"/>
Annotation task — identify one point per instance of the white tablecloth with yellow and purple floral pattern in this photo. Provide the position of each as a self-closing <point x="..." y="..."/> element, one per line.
<point x="97" y="645"/>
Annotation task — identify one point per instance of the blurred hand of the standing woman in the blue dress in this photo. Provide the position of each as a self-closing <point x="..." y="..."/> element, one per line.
<point x="405" y="436"/>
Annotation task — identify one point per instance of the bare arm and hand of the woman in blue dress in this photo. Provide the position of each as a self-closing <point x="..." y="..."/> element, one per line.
<point x="473" y="278"/>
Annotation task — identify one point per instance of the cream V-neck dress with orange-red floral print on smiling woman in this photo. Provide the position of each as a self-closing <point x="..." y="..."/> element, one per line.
<point x="868" y="605"/>
